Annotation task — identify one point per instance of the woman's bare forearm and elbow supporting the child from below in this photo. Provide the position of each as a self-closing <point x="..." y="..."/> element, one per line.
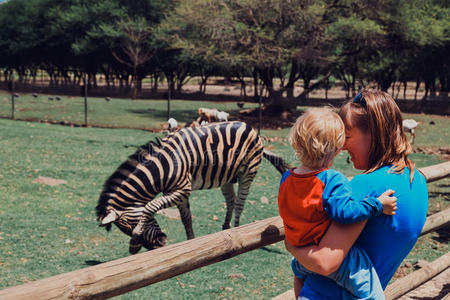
<point x="326" y="257"/>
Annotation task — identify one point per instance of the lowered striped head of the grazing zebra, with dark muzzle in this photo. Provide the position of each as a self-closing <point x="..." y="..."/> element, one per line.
<point x="151" y="237"/>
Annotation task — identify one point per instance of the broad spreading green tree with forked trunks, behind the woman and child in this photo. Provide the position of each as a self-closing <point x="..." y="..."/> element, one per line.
<point x="308" y="38"/>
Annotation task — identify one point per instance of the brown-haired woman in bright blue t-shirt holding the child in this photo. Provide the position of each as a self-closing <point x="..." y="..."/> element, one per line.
<point x="378" y="145"/>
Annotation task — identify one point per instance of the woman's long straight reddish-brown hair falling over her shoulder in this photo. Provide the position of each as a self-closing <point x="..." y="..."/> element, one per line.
<point x="375" y="112"/>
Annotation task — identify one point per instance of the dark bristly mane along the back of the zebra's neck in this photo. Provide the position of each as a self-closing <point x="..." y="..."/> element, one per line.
<point x="114" y="182"/>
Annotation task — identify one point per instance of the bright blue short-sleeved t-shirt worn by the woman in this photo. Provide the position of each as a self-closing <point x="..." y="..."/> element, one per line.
<point x="386" y="239"/>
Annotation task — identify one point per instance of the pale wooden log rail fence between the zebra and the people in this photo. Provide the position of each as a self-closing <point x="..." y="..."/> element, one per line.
<point x="129" y="273"/>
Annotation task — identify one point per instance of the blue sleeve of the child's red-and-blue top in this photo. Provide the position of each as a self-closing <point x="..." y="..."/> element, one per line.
<point x="344" y="207"/>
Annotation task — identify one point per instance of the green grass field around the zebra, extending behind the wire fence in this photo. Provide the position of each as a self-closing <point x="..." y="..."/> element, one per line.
<point x="48" y="230"/>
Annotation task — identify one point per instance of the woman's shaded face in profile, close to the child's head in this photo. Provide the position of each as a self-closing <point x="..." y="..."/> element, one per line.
<point x="357" y="144"/>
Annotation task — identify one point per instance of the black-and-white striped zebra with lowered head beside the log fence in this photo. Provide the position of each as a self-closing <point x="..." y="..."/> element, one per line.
<point x="217" y="155"/>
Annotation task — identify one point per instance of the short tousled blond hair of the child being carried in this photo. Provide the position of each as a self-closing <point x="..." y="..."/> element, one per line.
<point x="317" y="136"/>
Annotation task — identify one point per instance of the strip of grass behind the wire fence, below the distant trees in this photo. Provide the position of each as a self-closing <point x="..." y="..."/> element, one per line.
<point x="124" y="113"/>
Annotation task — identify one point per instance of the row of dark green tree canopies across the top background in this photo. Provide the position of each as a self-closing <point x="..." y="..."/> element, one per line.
<point x="356" y="41"/>
